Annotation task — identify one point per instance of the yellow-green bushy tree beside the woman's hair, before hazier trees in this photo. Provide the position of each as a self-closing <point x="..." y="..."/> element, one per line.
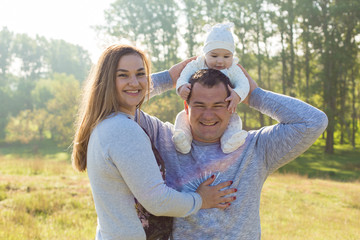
<point x="55" y="106"/>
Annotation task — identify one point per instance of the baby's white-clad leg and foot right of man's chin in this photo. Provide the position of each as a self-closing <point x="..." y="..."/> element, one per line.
<point x="233" y="136"/>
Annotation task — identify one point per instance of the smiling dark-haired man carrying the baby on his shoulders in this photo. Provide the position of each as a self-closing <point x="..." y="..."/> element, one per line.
<point x="264" y="151"/>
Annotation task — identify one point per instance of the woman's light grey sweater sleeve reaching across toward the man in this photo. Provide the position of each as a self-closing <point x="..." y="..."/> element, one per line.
<point x="133" y="157"/>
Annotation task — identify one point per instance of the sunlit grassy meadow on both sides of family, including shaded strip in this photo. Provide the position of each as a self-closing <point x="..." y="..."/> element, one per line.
<point x="42" y="197"/>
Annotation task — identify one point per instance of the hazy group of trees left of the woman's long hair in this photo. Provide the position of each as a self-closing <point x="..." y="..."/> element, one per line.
<point x="39" y="87"/>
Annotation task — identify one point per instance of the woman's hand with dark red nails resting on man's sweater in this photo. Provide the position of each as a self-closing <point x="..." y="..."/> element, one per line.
<point x="213" y="197"/>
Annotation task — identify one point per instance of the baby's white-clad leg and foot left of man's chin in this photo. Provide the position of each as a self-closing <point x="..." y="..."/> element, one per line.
<point x="182" y="135"/>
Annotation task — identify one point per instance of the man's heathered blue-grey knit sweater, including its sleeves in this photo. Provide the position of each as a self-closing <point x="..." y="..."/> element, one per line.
<point x="264" y="151"/>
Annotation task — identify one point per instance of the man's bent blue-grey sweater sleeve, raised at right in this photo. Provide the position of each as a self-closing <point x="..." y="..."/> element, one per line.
<point x="300" y="124"/>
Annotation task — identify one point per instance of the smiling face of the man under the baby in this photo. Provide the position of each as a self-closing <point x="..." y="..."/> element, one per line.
<point x="207" y="112"/>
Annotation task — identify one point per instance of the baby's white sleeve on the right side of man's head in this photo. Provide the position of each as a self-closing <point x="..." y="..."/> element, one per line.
<point x="239" y="80"/>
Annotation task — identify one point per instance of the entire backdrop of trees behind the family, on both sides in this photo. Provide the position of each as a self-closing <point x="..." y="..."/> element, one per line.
<point x="308" y="49"/>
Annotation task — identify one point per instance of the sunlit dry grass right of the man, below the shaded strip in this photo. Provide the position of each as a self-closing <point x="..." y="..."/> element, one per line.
<point x="294" y="207"/>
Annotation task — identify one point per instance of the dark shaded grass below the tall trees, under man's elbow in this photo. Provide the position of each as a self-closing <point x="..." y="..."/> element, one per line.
<point x="343" y="165"/>
